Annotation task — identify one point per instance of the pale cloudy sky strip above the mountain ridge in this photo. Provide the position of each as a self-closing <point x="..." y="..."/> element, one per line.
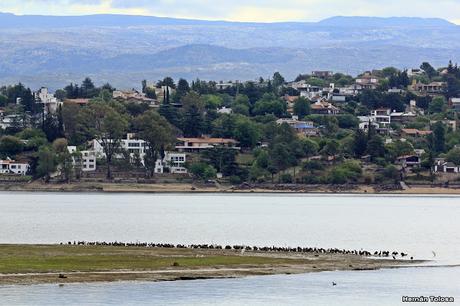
<point x="241" y="10"/>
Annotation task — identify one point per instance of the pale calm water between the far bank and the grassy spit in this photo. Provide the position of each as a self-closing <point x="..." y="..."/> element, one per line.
<point x="418" y="225"/>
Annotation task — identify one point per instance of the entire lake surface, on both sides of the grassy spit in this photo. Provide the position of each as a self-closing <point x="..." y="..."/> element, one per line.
<point x="418" y="225"/>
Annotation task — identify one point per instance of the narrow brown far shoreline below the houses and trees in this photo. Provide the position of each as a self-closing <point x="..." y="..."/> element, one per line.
<point x="182" y="188"/>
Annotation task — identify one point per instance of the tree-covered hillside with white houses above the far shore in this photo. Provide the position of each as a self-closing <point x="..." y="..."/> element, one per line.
<point x="382" y="127"/>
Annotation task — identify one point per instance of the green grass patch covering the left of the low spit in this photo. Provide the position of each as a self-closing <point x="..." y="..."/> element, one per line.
<point x="63" y="258"/>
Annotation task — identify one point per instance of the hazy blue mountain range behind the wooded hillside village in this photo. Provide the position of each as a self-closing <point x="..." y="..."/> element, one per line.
<point x="123" y="50"/>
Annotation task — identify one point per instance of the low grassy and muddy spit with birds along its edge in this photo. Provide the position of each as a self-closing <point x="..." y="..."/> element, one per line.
<point x="60" y="264"/>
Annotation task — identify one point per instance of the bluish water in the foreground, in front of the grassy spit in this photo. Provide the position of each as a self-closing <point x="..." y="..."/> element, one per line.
<point x="379" y="288"/>
